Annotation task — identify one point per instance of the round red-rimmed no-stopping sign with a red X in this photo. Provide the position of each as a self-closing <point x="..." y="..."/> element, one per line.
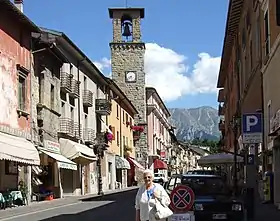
<point x="182" y="198"/>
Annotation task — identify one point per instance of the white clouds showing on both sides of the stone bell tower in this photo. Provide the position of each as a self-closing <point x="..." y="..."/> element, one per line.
<point x="169" y="73"/>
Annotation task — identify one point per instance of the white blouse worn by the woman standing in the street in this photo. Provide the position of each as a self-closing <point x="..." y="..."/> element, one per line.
<point x="145" y="205"/>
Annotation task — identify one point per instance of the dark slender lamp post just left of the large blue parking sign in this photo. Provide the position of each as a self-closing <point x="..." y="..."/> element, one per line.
<point x="234" y="126"/>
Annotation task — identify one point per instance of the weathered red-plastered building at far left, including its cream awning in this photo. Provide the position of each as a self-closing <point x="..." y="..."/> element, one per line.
<point x="16" y="117"/>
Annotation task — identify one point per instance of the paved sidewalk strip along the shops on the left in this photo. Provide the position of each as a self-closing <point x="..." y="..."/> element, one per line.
<point x="49" y="205"/>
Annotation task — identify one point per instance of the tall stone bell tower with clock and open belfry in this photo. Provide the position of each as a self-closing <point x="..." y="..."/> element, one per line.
<point x="127" y="56"/>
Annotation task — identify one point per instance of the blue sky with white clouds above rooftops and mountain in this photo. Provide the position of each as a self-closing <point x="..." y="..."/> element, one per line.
<point x="177" y="32"/>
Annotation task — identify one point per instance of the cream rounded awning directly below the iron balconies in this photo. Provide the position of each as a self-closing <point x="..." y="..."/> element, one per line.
<point x="77" y="152"/>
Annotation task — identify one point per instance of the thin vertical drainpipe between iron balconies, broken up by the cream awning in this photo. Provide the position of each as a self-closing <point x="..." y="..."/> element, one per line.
<point x="79" y="124"/>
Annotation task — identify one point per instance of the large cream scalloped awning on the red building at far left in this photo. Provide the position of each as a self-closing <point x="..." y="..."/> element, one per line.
<point x="18" y="149"/>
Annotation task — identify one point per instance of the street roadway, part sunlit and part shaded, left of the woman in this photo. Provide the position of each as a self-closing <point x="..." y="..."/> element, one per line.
<point x="117" y="207"/>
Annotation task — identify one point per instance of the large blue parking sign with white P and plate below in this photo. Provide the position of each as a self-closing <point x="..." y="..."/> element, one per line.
<point x="252" y="128"/>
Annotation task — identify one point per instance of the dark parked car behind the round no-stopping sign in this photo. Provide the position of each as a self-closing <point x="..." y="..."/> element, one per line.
<point x="213" y="198"/>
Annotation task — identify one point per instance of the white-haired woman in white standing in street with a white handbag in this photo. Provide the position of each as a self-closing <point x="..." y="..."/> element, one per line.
<point x="146" y="197"/>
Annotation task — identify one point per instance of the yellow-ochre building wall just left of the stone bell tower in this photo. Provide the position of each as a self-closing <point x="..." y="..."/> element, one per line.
<point x="123" y="134"/>
